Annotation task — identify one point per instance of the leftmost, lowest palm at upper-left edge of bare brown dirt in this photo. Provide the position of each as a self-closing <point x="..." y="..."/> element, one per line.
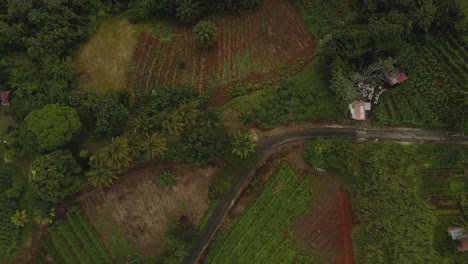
<point x="100" y="174"/>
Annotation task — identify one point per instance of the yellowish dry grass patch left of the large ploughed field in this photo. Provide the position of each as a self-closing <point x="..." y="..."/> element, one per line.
<point x="103" y="61"/>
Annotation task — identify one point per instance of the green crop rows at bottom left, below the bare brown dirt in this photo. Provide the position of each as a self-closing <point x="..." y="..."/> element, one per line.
<point x="75" y="241"/>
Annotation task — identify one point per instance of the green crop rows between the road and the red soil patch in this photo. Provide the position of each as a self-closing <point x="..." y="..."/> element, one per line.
<point x="263" y="233"/>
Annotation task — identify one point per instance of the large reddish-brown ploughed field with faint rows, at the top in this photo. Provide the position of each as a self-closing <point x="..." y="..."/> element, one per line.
<point x="256" y="45"/>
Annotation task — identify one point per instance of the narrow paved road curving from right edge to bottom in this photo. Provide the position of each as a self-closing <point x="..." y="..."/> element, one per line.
<point x="268" y="142"/>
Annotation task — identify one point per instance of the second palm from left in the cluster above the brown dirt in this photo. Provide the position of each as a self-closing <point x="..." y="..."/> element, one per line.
<point x="117" y="154"/>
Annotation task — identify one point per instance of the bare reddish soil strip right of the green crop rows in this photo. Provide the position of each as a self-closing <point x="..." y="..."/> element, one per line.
<point x="327" y="230"/>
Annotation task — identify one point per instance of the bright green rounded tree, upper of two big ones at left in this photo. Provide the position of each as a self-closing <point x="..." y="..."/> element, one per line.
<point x="53" y="125"/>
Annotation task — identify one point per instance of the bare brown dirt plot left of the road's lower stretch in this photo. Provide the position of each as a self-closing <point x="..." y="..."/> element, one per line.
<point x="144" y="209"/>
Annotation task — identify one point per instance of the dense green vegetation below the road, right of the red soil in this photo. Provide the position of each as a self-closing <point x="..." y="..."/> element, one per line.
<point x="396" y="189"/>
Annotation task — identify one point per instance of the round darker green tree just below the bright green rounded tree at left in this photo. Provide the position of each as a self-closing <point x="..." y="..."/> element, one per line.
<point x="55" y="176"/>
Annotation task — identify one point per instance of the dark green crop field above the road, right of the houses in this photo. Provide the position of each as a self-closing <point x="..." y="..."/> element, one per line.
<point x="437" y="72"/>
